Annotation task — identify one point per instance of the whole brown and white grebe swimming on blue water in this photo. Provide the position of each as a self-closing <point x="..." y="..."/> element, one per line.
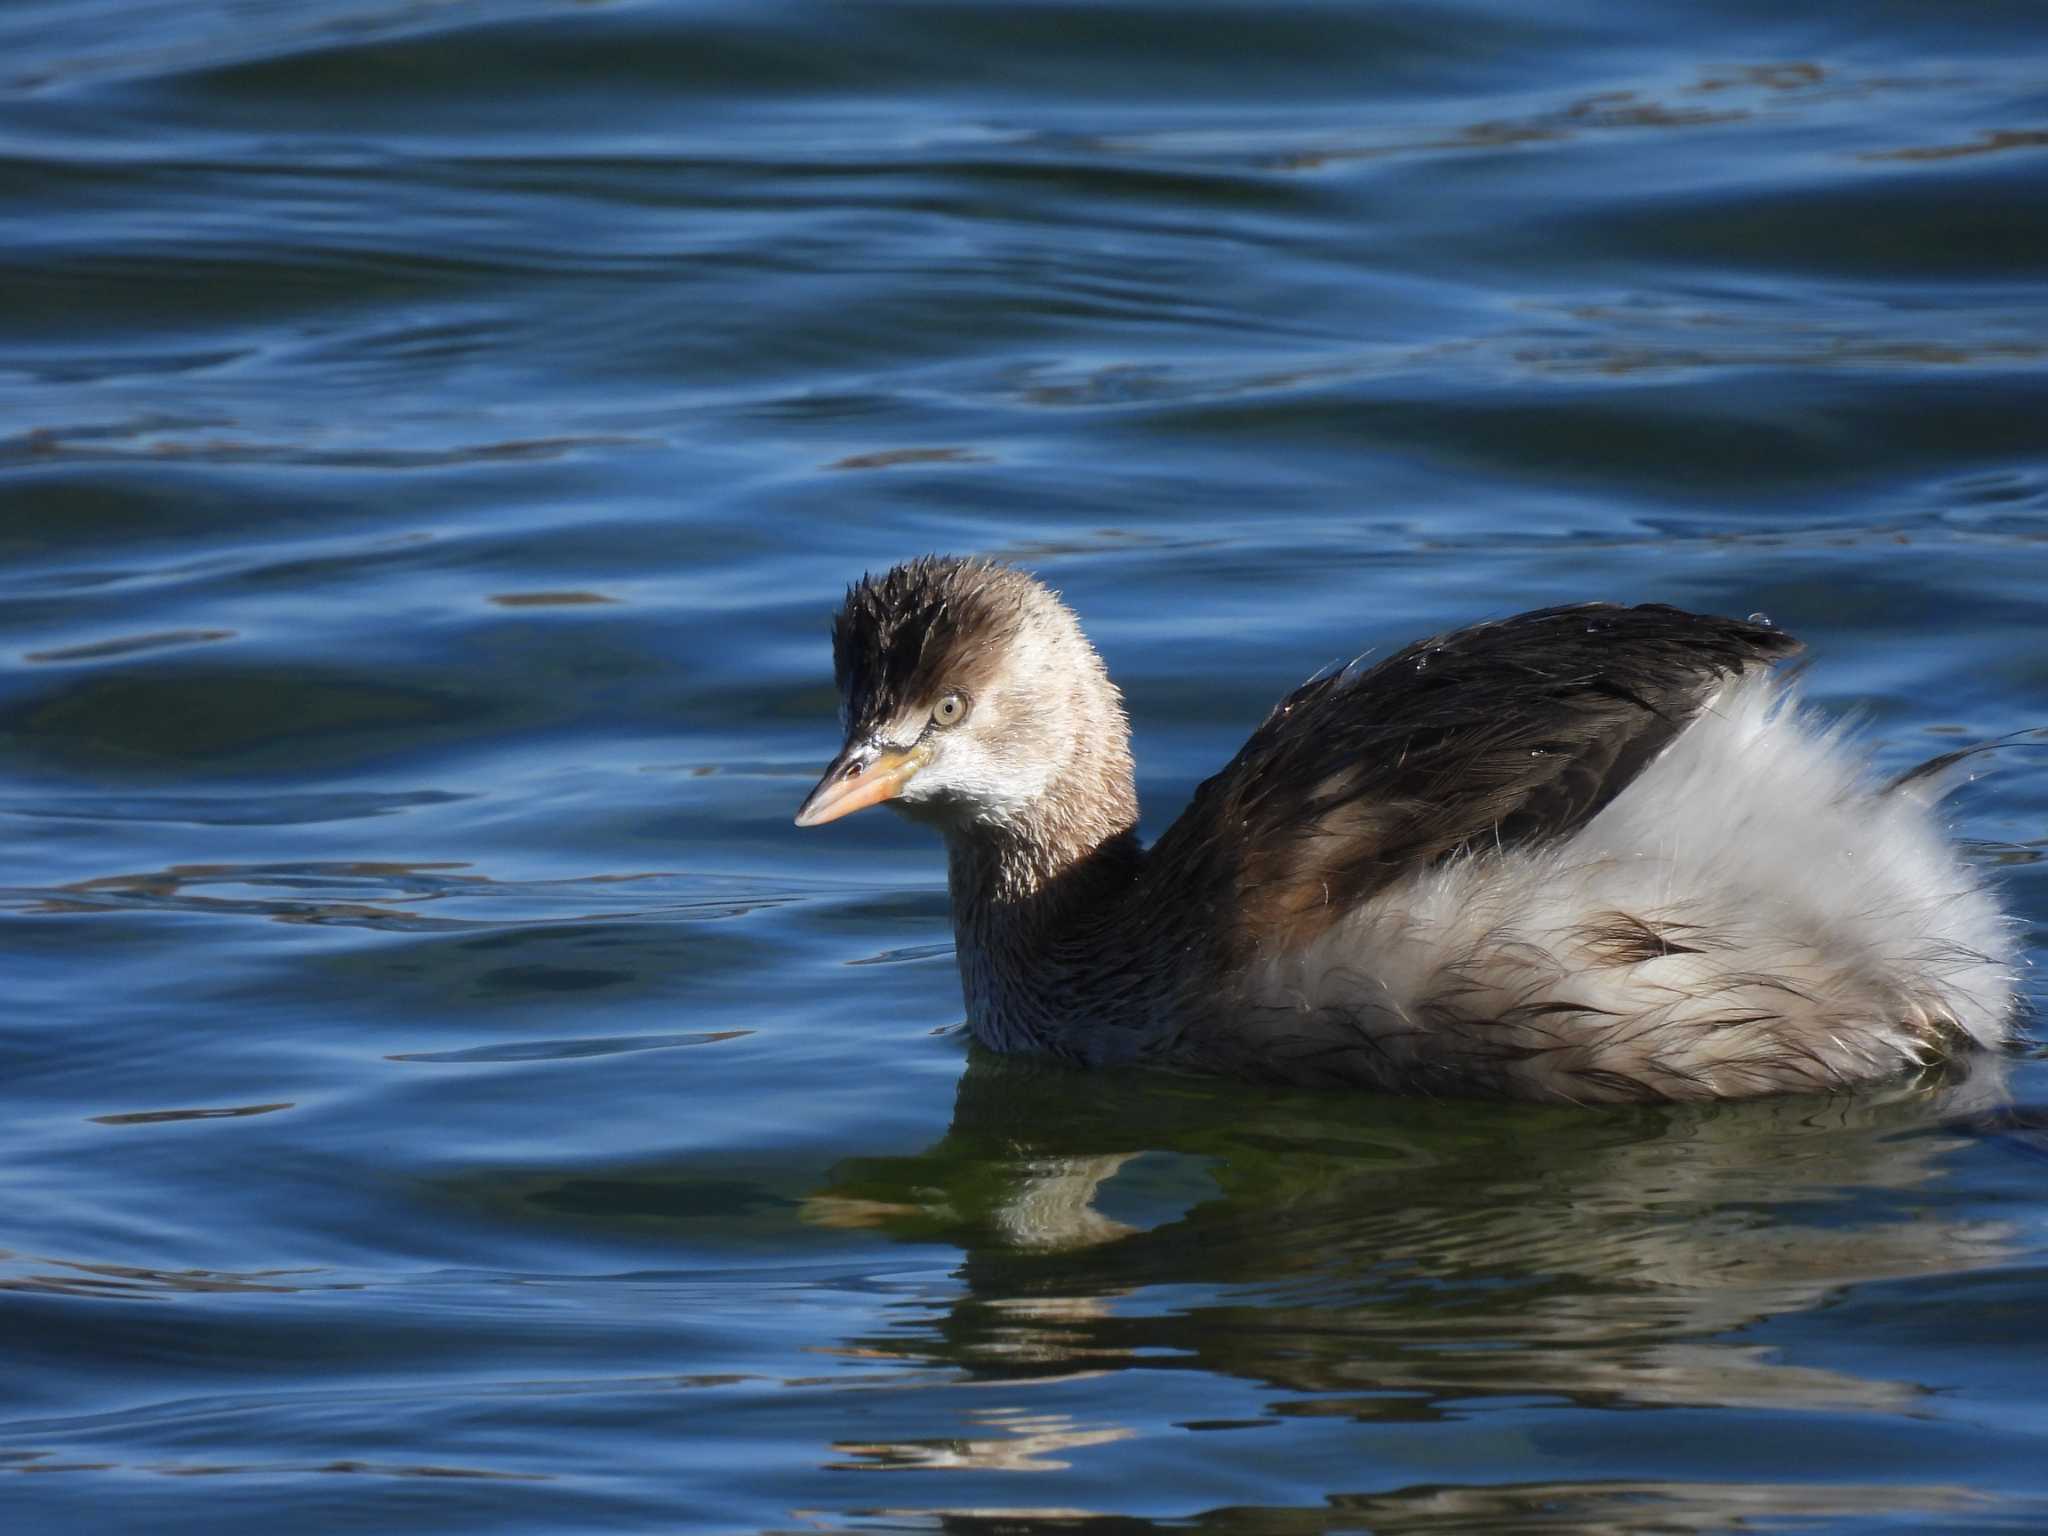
<point x="1586" y="853"/>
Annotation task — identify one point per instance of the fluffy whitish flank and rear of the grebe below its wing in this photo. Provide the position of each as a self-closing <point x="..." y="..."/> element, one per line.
<point x="1750" y="916"/>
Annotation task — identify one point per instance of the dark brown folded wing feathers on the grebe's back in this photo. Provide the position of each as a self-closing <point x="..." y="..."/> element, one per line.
<point x="1500" y="734"/>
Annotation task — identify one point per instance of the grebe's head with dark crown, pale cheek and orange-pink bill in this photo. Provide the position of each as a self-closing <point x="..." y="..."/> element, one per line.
<point x="972" y="701"/>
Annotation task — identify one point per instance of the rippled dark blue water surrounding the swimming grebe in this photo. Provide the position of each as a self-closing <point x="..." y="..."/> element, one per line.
<point x="443" y="1093"/>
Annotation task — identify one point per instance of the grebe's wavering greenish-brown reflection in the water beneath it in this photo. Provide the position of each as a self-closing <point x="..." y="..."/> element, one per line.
<point x="1383" y="1258"/>
